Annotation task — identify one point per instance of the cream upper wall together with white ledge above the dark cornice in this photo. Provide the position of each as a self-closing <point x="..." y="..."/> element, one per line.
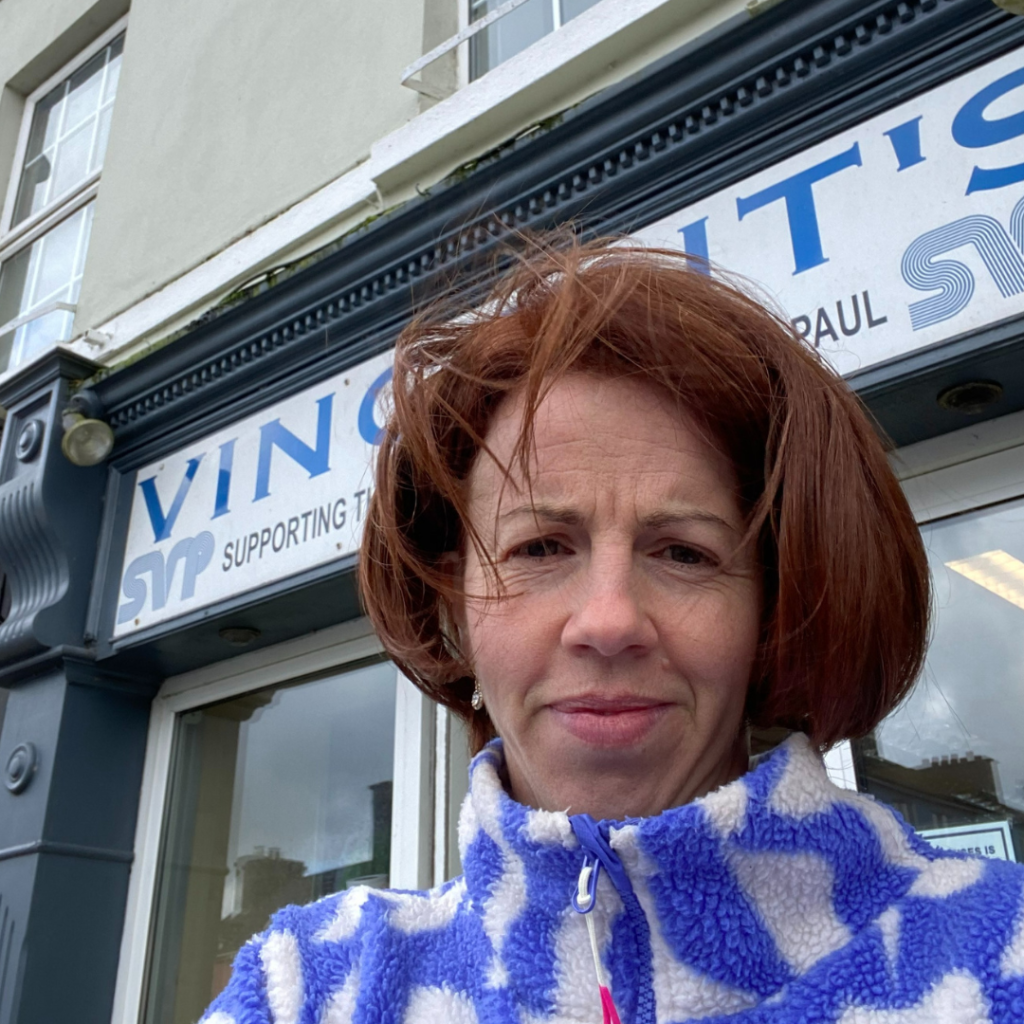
<point x="248" y="134"/>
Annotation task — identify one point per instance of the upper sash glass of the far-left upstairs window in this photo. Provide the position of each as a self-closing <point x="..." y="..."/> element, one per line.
<point x="66" y="127"/>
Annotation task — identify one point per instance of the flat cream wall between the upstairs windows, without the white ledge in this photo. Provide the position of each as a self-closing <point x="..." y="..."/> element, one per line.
<point x="230" y="112"/>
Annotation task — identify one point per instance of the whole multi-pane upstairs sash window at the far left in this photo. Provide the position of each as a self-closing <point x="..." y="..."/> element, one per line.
<point x="49" y="211"/>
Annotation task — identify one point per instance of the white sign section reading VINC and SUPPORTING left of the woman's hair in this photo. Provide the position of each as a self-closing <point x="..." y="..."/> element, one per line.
<point x="281" y="492"/>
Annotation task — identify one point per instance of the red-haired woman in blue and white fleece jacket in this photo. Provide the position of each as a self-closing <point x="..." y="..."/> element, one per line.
<point x="622" y="518"/>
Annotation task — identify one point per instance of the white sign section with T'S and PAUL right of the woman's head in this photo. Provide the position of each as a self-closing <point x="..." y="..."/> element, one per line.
<point x="899" y="234"/>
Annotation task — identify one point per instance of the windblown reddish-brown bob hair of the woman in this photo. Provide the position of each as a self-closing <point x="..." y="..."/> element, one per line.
<point x="845" y="577"/>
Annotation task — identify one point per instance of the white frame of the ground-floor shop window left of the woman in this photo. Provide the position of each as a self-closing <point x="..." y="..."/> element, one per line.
<point x="329" y="651"/>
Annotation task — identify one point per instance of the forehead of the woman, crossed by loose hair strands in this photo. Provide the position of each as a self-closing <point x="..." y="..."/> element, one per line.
<point x="605" y="431"/>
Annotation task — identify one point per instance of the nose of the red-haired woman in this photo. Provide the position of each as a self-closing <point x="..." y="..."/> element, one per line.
<point x="609" y="617"/>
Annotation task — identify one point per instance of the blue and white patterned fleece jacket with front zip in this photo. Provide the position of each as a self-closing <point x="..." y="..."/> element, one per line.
<point x="777" y="900"/>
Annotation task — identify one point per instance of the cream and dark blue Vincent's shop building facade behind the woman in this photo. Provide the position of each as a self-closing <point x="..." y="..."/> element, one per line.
<point x="216" y="221"/>
